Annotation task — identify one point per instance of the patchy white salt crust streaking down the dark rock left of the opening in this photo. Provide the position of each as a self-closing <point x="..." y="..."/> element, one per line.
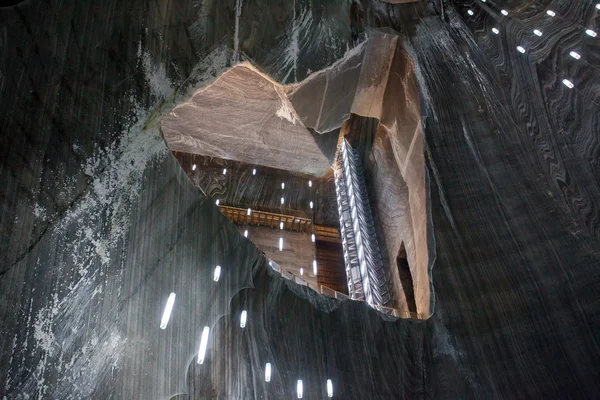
<point x="91" y="231"/>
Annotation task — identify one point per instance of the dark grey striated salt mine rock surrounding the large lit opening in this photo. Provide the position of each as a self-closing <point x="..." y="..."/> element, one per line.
<point x="99" y="222"/>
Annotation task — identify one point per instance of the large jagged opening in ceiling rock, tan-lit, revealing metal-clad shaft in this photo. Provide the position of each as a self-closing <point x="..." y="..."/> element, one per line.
<point x="326" y="177"/>
